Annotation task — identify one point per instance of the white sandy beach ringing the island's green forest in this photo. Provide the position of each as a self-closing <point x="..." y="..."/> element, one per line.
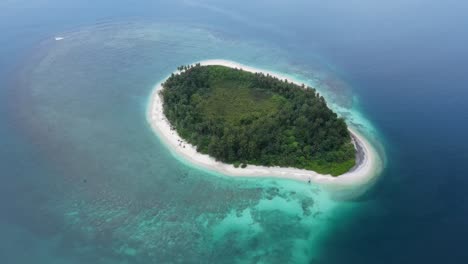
<point x="361" y="175"/>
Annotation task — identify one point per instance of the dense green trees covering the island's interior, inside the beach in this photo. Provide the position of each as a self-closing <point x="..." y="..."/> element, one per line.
<point x="240" y="117"/>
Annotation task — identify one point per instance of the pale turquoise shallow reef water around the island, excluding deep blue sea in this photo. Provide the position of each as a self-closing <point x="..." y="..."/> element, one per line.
<point x="112" y="193"/>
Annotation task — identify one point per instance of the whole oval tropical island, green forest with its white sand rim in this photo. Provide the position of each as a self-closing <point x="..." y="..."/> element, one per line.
<point x="241" y="121"/>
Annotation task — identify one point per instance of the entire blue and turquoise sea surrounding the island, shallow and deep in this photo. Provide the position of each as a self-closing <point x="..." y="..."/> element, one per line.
<point x="85" y="180"/>
